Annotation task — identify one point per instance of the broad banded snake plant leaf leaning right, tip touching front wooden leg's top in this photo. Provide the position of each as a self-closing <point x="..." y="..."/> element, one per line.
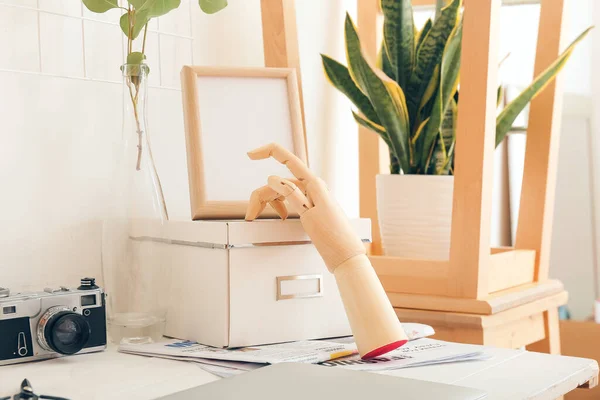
<point x="430" y="53"/>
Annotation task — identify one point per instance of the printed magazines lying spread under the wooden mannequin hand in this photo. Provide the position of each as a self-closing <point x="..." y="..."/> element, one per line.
<point x="339" y="353"/>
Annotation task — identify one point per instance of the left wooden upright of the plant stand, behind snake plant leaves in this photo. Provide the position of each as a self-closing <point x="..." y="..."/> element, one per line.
<point x="368" y="142"/>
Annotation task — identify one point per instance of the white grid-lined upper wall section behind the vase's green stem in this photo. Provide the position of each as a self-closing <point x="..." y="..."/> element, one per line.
<point x="63" y="38"/>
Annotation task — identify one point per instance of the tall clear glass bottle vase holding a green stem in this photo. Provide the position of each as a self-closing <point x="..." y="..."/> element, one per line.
<point x="135" y="273"/>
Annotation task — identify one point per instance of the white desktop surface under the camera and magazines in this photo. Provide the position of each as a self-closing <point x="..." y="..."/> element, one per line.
<point x="510" y="375"/>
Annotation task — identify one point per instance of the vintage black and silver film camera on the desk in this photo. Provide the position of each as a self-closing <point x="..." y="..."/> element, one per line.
<point x="52" y="323"/>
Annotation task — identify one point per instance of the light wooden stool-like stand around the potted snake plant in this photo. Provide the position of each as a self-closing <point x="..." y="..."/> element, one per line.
<point x="481" y="282"/>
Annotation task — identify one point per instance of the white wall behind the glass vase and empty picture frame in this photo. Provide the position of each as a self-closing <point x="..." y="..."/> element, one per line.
<point x="60" y="116"/>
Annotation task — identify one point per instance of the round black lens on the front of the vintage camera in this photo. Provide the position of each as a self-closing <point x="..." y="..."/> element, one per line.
<point x="63" y="331"/>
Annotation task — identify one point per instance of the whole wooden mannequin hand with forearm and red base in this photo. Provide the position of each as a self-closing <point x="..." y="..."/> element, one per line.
<point x="373" y="321"/>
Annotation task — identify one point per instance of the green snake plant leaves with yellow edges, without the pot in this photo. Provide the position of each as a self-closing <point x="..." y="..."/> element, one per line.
<point x="410" y="99"/>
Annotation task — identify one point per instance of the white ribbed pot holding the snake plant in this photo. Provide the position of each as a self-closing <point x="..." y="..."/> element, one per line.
<point x="415" y="215"/>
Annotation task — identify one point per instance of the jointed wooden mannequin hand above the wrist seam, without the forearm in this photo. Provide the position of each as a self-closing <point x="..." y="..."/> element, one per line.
<point x="321" y="216"/>
